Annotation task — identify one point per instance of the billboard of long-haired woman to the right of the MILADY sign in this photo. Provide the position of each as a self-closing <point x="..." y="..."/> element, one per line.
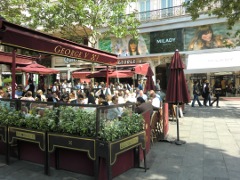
<point x="209" y="37"/>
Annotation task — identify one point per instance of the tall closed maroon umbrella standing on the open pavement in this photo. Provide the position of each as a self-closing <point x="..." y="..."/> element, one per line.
<point x="177" y="91"/>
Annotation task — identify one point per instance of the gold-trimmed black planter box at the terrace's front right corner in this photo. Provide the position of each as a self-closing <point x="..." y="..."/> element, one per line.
<point x="109" y="152"/>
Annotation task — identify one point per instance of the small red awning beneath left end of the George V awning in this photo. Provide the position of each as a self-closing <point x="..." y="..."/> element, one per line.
<point x="6" y="58"/>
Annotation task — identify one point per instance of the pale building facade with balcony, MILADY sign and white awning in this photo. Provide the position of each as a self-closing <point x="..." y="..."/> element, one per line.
<point x="165" y="27"/>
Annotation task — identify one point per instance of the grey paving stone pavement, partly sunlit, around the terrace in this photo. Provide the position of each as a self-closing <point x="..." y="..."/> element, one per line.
<point x="211" y="152"/>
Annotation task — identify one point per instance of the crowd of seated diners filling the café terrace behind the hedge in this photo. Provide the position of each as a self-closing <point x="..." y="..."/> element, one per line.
<point x="89" y="93"/>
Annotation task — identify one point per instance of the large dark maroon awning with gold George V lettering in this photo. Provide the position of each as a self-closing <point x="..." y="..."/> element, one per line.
<point x="21" y="37"/>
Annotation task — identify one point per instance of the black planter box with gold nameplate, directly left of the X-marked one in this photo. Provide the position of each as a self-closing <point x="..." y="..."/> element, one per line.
<point x="31" y="144"/>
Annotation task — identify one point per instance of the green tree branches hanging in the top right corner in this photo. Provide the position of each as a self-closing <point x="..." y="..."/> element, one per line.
<point x="229" y="9"/>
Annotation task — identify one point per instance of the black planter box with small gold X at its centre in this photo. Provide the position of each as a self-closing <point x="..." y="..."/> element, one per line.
<point x="73" y="153"/>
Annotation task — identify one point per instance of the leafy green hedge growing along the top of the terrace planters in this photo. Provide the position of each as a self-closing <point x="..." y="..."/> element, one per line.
<point x="75" y="121"/>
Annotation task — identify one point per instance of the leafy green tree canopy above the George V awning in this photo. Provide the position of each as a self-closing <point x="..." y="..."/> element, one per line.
<point x="73" y="19"/>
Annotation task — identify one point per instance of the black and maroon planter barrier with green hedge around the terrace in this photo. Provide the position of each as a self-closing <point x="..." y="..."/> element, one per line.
<point x="40" y="139"/>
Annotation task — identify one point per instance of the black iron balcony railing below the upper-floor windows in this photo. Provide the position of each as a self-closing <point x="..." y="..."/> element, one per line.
<point x="147" y="16"/>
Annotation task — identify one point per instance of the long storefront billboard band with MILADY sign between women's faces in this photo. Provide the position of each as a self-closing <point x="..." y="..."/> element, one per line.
<point x="187" y="39"/>
